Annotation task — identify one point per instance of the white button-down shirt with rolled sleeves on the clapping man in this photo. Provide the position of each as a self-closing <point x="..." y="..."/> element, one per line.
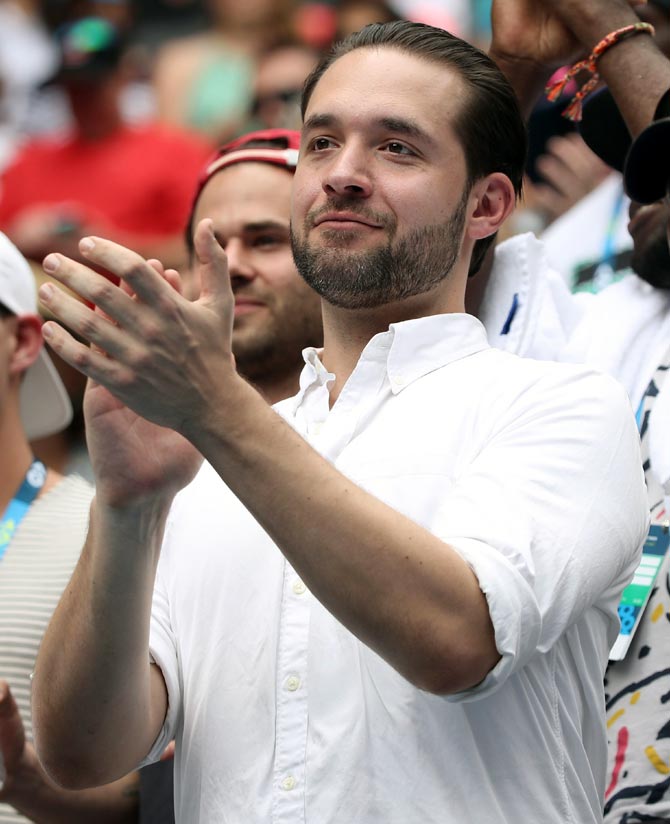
<point x="531" y="471"/>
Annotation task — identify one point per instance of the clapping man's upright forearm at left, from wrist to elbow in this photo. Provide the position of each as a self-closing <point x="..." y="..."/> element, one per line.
<point x="96" y="706"/>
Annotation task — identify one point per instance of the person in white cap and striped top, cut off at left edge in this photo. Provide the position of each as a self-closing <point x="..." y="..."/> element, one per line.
<point x="44" y="519"/>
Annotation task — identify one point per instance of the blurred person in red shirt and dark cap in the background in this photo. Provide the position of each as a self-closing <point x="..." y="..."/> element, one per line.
<point x="133" y="183"/>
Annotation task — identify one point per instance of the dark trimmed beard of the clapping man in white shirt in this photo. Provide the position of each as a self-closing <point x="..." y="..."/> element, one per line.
<point x="367" y="279"/>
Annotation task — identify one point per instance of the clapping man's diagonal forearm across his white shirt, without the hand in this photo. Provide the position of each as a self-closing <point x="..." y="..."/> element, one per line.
<point x="360" y="558"/>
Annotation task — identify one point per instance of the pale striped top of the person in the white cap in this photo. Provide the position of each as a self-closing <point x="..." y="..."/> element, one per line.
<point x="33" y="573"/>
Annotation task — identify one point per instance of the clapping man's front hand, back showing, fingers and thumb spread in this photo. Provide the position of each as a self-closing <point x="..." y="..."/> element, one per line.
<point x="160" y="354"/>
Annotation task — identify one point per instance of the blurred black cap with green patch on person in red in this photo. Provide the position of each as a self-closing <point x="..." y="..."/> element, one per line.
<point x="90" y="47"/>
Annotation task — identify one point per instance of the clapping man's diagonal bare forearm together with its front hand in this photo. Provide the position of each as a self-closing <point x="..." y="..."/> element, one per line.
<point x="360" y="558"/>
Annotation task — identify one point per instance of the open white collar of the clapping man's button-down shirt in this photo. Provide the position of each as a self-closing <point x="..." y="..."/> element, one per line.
<point x="411" y="349"/>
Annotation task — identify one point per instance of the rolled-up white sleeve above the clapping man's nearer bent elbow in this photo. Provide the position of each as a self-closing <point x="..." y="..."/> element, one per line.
<point x="551" y="517"/>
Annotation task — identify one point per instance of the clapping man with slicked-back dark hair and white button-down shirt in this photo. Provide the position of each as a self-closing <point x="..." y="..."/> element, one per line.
<point x="428" y="538"/>
